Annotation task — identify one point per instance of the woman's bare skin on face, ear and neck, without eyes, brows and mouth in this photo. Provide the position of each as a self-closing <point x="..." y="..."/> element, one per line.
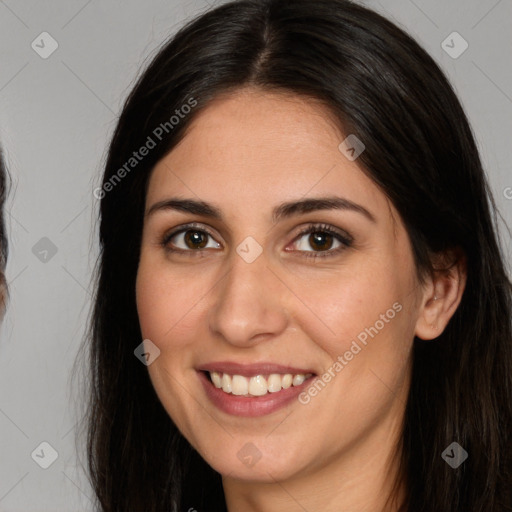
<point x="245" y="153"/>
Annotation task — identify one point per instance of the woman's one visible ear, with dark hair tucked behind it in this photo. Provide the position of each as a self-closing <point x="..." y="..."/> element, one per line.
<point x="442" y="294"/>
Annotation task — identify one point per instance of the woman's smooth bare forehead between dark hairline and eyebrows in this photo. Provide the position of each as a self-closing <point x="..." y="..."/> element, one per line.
<point x="255" y="147"/>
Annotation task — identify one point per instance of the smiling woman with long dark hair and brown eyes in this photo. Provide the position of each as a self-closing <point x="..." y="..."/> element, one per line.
<point x="301" y="301"/>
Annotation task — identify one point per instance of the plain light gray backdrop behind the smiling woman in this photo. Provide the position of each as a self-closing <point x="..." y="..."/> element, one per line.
<point x="56" y="118"/>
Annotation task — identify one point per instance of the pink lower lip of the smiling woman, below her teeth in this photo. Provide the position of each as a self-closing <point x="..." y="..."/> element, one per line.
<point x="251" y="406"/>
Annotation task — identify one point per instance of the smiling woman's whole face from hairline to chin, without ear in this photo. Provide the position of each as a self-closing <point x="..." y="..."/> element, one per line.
<point x="242" y="293"/>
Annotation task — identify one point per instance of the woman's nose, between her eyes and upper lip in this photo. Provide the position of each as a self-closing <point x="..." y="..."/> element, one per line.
<point x="249" y="303"/>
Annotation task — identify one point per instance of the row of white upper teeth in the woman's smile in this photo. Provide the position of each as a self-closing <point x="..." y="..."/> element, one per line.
<point x="258" y="385"/>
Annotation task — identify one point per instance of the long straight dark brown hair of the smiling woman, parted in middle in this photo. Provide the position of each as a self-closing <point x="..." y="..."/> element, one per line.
<point x="383" y="87"/>
